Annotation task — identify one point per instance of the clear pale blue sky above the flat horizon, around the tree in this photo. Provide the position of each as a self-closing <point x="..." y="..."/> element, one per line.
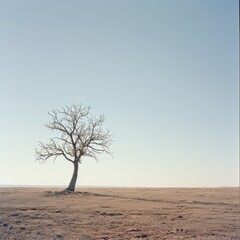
<point x="163" y="72"/>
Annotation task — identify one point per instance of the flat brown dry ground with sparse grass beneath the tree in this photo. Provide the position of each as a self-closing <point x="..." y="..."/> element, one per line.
<point x="120" y="213"/>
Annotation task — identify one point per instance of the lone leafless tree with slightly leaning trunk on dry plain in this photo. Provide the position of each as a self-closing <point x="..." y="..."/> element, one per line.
<point x="78" y="134"/>
